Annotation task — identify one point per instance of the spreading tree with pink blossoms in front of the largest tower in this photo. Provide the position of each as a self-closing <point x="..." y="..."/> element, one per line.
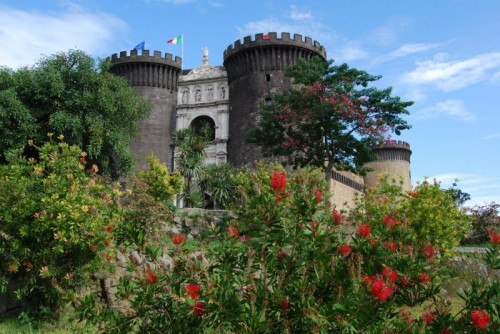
<point x="331" y="119"/>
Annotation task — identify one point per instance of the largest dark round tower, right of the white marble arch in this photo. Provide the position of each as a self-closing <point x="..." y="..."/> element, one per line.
<point x="255" y="70"/>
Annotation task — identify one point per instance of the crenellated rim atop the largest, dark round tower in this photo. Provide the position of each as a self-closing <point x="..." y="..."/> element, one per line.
<point x="273" y="40"/>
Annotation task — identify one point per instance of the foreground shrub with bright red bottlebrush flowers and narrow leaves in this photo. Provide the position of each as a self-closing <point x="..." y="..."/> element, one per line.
<point x="290" y="264"/>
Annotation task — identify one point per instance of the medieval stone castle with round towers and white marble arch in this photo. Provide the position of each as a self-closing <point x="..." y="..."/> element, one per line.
<point x="228" y="98"/>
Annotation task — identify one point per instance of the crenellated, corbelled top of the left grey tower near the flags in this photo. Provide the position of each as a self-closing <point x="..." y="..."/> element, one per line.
<point x="148" y="70"/>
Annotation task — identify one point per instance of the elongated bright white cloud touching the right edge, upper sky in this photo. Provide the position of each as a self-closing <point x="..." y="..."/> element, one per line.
<point x="452" y="75"/>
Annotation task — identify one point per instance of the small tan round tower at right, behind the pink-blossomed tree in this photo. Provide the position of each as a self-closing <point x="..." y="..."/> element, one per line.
<point x="393" y="160"/>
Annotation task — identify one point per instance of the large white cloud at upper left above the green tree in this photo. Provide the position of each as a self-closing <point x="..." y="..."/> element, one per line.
<point x="29" y="35"/>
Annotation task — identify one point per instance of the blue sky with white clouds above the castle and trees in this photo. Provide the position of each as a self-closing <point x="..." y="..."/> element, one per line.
<point x="443" y="55"/>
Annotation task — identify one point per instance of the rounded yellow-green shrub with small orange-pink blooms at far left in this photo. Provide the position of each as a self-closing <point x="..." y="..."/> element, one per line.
<point x="56" y="220"/>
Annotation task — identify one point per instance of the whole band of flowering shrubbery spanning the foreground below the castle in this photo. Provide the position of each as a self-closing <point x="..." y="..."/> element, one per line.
<point x="288" y="263"/>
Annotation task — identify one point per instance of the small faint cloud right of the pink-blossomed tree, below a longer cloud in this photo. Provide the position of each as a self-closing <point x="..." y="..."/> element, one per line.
<point x="452" y="108"/>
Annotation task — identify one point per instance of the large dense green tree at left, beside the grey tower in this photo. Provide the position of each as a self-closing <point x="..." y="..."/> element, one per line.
<point x="74" y="95"/>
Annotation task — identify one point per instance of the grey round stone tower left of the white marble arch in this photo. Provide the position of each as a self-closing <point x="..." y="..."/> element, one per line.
<point x="155" y="78"/>
